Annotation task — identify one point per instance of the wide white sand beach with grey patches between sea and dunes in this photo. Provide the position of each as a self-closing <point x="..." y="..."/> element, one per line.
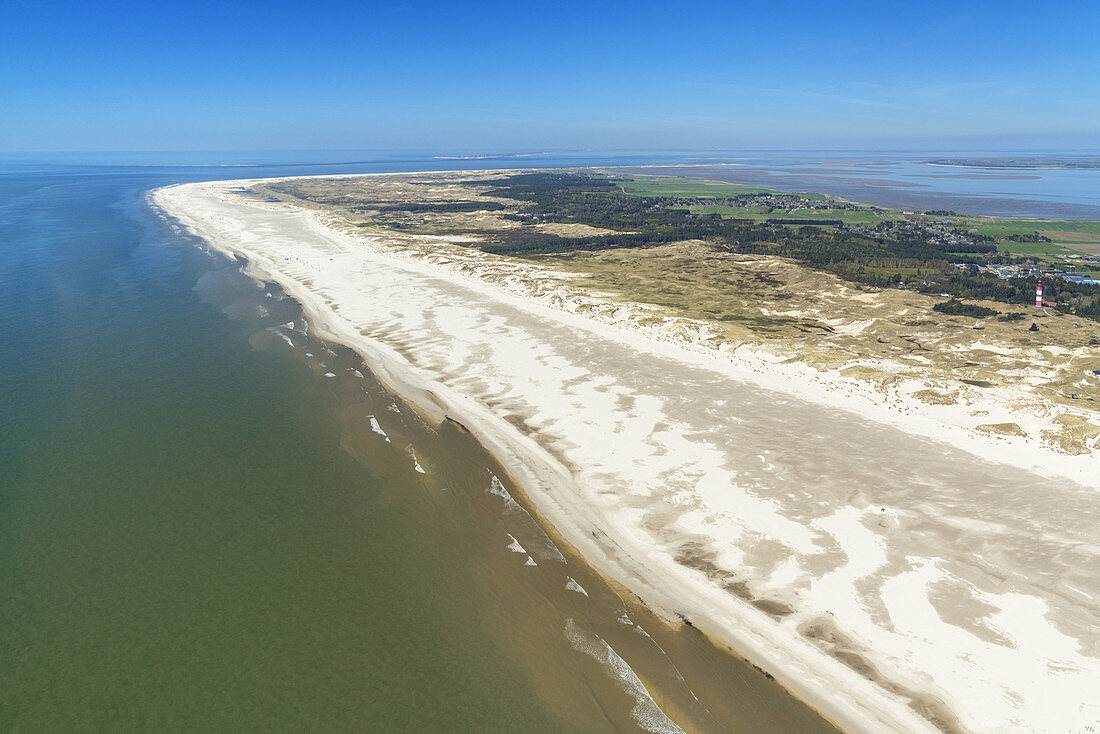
<point x="892" y="567"/>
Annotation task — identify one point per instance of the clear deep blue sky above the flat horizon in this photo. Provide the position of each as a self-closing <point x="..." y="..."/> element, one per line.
<point x="511" y="76"/>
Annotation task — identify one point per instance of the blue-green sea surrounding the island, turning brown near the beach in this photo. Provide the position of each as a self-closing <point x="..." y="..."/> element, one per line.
<point x="213" y="521"/>
